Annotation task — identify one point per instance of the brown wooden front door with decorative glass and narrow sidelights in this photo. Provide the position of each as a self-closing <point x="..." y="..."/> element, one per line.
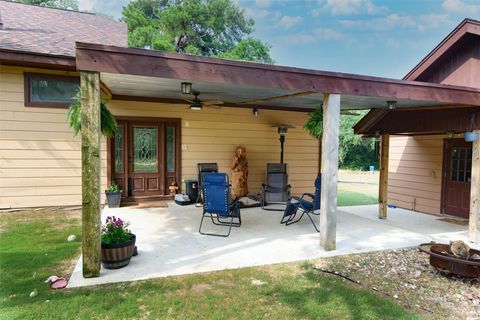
<point x="144" y="157"/>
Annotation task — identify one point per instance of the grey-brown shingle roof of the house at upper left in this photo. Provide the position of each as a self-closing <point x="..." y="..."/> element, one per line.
<point x="54" y="31"/>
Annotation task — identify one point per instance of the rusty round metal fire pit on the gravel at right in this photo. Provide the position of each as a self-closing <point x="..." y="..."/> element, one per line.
<point x="441" y="258"/>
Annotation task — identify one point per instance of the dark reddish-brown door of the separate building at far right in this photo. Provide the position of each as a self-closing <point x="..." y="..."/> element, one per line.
<point x="457" y="177"/>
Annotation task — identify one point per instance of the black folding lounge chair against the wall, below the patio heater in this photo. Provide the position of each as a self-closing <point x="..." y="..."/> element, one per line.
<point x="276" y="190"/>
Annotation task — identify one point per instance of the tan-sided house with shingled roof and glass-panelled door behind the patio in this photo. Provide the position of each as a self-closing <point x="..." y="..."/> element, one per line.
<point x="41" y="158"/>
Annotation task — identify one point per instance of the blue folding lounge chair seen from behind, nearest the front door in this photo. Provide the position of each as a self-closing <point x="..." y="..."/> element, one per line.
<point x="218" y="204"/>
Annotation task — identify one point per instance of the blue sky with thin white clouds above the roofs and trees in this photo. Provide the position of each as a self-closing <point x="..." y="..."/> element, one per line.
<point x="385" y="38"/>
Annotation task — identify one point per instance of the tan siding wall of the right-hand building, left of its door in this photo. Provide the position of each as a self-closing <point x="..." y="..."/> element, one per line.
<point x="415" y="173"/>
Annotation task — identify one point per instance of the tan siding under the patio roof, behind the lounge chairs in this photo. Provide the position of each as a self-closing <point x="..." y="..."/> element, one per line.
<point x="211" y="135"/>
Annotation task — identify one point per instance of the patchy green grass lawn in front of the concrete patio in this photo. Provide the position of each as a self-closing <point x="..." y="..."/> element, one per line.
<point x="33" y="246"/>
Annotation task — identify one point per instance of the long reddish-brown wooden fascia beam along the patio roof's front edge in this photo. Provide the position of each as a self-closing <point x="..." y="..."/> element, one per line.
<point x="150" y="63"/>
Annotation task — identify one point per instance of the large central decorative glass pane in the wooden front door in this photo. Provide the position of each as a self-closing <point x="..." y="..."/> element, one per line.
<point x="145" y="150"/>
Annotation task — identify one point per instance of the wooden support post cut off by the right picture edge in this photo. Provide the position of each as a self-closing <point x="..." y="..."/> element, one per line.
<point x="474" y="219"/>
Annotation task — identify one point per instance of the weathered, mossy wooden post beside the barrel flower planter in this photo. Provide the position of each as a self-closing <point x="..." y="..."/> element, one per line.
<point x="90" y="120"/>
